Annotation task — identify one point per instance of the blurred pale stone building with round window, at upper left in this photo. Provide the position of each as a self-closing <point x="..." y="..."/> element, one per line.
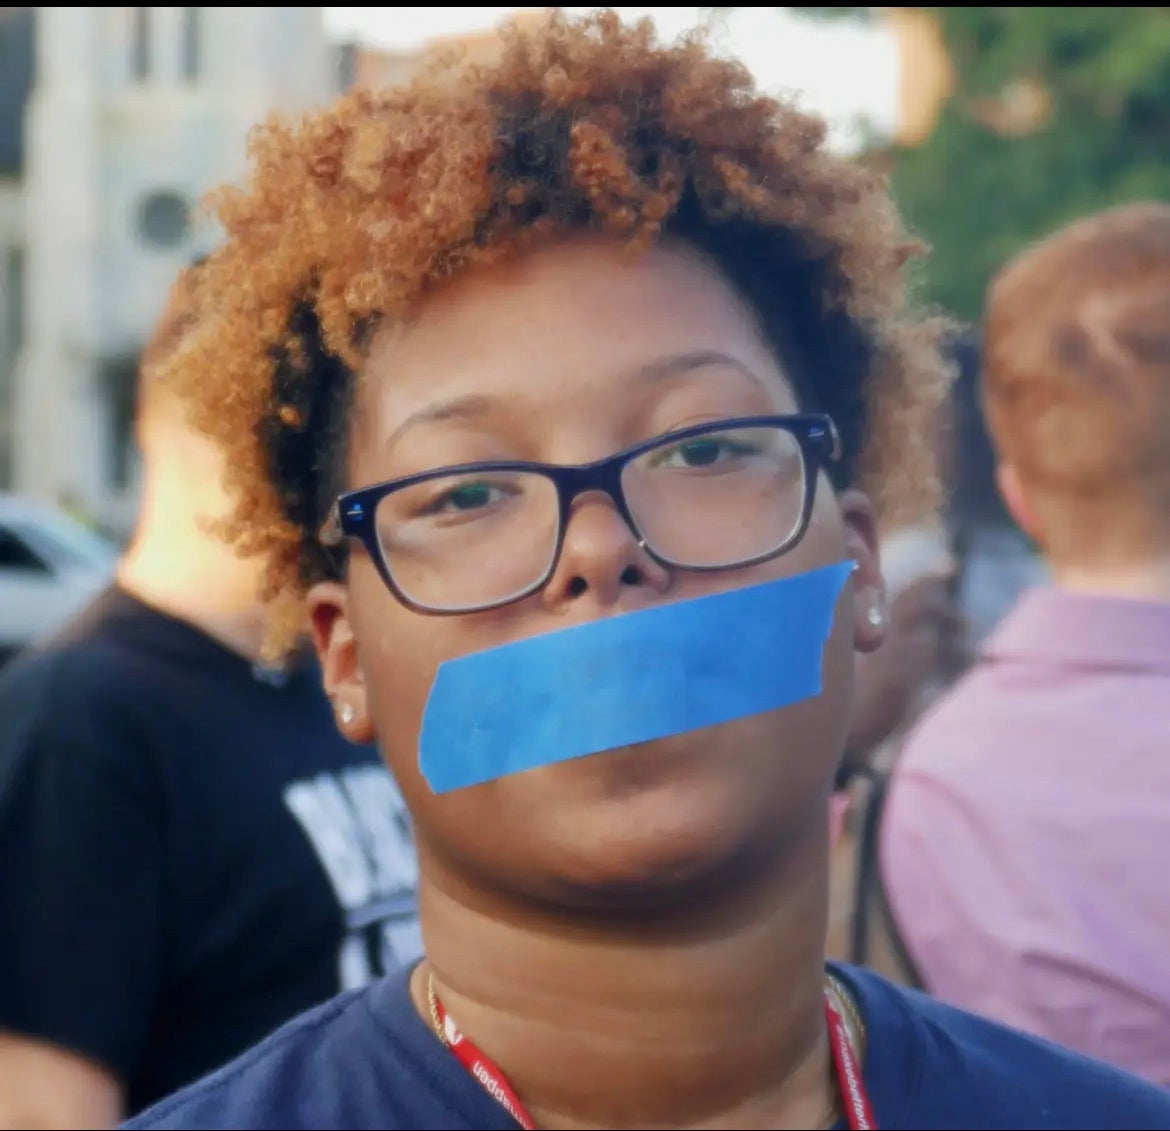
<point x="125" y="119"/>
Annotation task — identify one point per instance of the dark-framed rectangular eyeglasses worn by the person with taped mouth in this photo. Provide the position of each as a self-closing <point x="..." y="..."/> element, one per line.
<point x="477" y="536"/>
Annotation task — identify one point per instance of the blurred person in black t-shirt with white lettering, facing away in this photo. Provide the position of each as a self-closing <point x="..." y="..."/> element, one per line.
<point x="190" y="852"/>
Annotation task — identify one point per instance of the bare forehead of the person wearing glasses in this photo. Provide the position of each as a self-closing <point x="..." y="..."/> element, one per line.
<point x="560" y="325"/>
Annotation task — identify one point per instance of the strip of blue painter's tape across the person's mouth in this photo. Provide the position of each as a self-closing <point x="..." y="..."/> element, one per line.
<point x="629" y="679"/>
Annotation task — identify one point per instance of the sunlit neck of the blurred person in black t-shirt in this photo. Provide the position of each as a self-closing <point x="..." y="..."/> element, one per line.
<point x="177" y="568"/>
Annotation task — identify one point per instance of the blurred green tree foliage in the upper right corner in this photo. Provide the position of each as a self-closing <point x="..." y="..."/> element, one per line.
<point x="1056" y="113"/>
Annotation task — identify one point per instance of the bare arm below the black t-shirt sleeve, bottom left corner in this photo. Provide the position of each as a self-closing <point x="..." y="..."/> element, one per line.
<point x="45" y="1088"/>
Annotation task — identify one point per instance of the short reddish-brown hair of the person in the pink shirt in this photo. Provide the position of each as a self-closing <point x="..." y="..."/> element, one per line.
<point x="1078" y="391"/>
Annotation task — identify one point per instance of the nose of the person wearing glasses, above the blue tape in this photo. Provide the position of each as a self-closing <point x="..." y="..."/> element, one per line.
<point x="601" y="557"/>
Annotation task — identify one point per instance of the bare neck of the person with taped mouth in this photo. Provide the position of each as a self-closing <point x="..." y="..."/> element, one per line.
<point x="714" y="1019"/>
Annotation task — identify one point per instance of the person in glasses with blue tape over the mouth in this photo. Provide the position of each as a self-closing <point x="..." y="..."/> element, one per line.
<point x="565" y="396"/>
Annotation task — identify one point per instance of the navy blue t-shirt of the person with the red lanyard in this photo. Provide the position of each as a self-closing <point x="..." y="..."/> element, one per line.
<point x="368" y="1060"/>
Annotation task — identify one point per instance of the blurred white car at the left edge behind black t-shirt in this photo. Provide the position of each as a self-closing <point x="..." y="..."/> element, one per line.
<point x="51" y="567"/>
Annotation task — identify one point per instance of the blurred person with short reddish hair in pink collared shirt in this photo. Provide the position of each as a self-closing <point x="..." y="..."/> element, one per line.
<point x="1028" y="830"/>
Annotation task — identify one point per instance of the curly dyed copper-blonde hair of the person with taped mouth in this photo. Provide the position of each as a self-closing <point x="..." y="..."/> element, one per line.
<point x="352" y="215"/>
